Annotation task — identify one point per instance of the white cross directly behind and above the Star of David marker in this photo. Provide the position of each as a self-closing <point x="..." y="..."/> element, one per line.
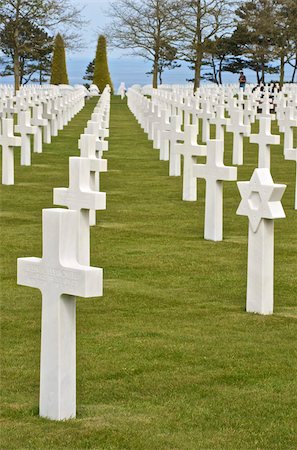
<point x="264" y="139"/>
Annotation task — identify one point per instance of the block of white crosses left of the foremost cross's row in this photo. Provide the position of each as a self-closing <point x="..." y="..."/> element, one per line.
<point x="40" y="113"/>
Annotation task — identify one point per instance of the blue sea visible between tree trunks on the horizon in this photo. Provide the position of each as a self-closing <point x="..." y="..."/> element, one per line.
<point x="133" y="70"/>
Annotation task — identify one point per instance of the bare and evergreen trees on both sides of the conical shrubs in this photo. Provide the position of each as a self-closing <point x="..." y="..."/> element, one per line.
<point x="211" y="36"/>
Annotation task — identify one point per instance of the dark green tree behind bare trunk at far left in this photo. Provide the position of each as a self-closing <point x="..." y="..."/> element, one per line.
<point x="35" y="55"/>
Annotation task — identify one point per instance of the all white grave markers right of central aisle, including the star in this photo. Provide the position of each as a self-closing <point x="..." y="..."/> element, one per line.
<point x="260" y="197"/>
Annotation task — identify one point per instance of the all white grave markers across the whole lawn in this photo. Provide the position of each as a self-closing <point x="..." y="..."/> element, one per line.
<point x="171" y="119"/>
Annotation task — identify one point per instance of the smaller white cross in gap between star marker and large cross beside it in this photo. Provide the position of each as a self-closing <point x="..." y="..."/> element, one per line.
<point x="239" y="129"/>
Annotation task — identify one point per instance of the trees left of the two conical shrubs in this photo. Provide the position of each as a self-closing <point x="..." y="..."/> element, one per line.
<point x="27" y="30"/>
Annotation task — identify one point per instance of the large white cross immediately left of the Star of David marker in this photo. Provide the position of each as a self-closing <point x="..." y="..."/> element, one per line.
<point x="214" y="172"/>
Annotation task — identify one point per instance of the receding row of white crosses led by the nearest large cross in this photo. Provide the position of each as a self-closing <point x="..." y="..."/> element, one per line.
<point x="64" y="272"/>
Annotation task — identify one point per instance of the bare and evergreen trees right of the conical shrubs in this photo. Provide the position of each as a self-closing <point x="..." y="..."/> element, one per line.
<point x="212" y="36"/>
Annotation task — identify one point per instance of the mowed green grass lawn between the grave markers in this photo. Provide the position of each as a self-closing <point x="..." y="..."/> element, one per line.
<point x="167" y="358"/>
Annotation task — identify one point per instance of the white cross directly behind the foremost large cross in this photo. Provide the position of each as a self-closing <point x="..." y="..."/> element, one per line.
<point x="81" y="198"/>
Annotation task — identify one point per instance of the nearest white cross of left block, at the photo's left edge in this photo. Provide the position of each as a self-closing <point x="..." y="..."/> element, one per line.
<point x="8" y="142"/>
